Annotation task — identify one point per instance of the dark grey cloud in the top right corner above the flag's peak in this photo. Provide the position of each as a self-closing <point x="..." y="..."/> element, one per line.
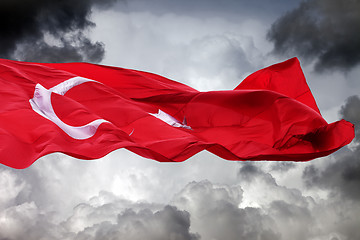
<point x="324" y="30"/>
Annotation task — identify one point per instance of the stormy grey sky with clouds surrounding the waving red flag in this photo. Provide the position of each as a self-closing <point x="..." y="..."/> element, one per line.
<point x="209" y="45"/>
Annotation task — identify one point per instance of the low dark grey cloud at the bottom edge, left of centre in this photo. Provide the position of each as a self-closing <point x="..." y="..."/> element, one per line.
<point x="168" y="223"/>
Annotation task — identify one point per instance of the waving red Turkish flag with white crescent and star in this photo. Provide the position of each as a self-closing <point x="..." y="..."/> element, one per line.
<point x="86" y="111"/>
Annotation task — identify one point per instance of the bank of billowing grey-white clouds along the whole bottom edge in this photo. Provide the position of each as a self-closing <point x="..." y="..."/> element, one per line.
<point x="201" y="210"/>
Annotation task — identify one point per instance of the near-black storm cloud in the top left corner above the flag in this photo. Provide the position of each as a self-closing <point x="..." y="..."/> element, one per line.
<point x="49" y="31"/>
